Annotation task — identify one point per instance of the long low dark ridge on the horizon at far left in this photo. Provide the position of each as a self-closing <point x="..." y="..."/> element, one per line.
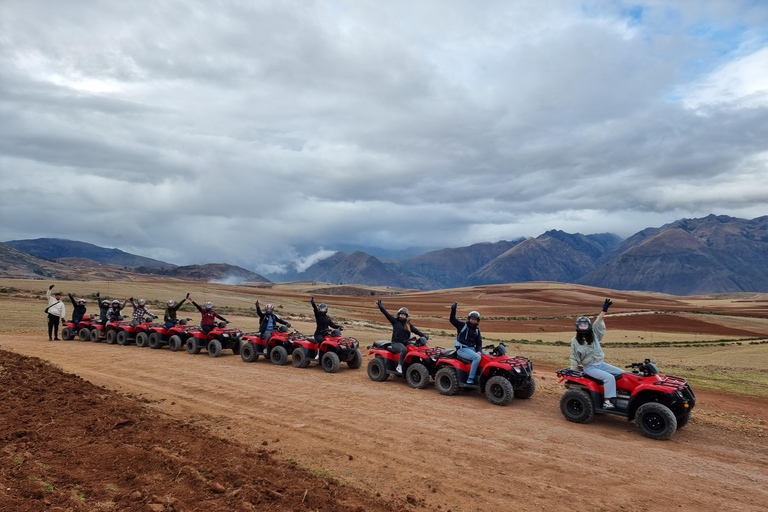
<point x="55" y="248"/>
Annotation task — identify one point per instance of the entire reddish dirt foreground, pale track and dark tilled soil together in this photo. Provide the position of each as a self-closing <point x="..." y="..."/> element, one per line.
<point x="194" y="425"/>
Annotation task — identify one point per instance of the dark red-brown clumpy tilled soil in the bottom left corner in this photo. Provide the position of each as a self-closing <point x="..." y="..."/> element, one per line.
<point x="70" y="445"/>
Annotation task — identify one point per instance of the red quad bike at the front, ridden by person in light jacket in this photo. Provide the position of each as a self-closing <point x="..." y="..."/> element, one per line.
<point x="660" y="404"/>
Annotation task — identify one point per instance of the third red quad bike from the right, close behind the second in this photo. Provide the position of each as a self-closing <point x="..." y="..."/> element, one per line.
<point x="419" y="365"/>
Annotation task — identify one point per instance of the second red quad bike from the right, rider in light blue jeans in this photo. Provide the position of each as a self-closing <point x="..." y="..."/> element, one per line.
<point x="499" y="376"/>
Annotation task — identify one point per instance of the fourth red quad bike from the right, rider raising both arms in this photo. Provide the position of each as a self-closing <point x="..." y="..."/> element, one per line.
<point x="333" y="350"/>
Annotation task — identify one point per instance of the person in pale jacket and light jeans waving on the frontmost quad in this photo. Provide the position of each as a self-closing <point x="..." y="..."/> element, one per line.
<point x="586" y="352"/>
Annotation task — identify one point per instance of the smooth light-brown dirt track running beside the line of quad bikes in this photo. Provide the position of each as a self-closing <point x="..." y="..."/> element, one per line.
<point x="458" y="453"/>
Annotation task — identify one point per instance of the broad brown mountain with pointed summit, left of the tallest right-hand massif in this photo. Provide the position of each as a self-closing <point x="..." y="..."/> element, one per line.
<point x="553" y="256"/>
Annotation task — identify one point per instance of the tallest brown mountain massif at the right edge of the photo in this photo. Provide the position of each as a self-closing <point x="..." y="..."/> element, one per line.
<point x="715" y="254"/>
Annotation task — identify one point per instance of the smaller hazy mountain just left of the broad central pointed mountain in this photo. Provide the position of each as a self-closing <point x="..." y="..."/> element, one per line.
<point x="450" y="267"/>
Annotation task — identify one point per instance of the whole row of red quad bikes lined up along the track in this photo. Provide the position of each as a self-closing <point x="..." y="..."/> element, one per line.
<point x="660" y="404"/>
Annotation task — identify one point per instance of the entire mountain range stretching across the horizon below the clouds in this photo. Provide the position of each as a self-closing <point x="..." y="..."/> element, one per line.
<point x="714" y="254"/>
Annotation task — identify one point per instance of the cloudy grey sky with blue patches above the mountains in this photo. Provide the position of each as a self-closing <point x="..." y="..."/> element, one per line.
<point x="265" y="134"/>
